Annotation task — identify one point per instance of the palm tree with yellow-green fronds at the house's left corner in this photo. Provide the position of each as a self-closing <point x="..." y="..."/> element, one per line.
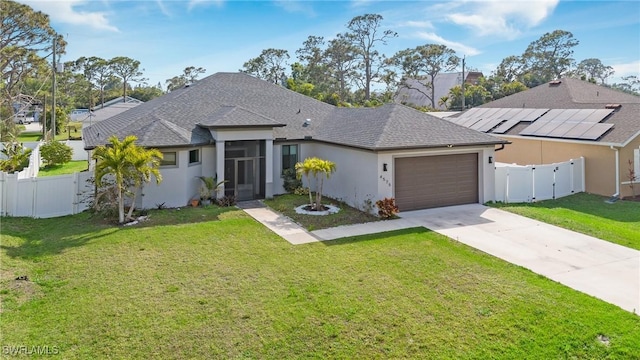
<point x="128" y="164"/>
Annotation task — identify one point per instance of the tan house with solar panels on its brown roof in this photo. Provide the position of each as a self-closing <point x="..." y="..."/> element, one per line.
<point x="565" y="119"/>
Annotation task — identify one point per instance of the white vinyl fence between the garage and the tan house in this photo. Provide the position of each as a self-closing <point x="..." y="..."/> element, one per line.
<point x="516" y="183"/>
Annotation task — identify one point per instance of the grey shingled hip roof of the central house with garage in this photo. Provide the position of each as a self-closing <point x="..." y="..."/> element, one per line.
<point x="223" y="100"/>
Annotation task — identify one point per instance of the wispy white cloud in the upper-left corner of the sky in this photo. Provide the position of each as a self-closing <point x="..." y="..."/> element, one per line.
<point x="65" y="11"/>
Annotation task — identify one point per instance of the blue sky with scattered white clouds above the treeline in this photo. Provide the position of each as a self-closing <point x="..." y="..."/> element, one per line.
<point x="220" y="35"/>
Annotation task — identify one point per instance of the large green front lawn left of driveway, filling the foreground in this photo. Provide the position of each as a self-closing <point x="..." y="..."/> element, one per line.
<point x="225" y="286"/>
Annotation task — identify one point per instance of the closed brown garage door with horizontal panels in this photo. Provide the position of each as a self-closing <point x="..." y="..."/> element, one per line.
<point x="434" y="181"/>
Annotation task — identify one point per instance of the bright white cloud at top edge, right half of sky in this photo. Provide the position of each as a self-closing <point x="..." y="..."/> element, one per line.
<point x="503" y="18"/>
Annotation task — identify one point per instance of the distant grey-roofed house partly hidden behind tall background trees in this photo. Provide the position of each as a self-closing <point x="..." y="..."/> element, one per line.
<point x="413" y="93"/>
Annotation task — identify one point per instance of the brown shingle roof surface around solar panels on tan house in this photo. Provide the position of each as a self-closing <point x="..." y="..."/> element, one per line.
<point x="569" y="93"/>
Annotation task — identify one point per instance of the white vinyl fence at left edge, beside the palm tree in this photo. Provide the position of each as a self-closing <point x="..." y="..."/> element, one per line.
<point x="45" y="197"/>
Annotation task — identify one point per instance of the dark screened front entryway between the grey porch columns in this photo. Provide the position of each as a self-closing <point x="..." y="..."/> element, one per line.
<point x="244" y="169"/>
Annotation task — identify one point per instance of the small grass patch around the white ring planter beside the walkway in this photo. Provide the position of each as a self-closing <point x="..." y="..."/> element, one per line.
<point x="286" y="204"/>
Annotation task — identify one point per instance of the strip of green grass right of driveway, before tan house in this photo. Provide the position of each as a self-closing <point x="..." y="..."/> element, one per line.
<point x="588" y="214"/>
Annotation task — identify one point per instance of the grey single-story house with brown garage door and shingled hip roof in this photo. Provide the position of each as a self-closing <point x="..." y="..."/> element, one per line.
<point x="247" y="131"/>
